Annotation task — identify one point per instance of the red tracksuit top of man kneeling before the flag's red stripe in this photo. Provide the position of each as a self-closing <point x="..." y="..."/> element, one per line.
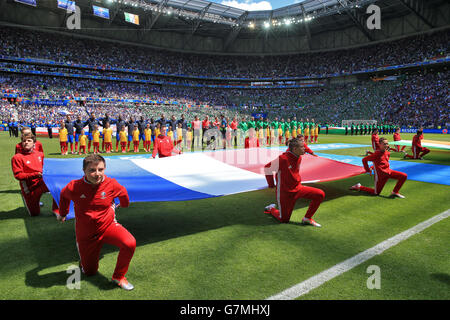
<point x="287" y="167"/>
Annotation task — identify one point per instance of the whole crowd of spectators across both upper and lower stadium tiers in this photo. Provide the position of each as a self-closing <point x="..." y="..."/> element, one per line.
<point x="417" y="99"/>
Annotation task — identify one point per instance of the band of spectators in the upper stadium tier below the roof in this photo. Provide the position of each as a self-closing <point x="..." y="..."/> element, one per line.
<point x="64" y="48"/>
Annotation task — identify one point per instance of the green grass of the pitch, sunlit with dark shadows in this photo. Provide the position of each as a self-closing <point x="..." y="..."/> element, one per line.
<point x="227" y="248"/>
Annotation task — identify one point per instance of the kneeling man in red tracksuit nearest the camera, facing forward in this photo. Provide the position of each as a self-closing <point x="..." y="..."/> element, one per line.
<point x="95" y="218"/>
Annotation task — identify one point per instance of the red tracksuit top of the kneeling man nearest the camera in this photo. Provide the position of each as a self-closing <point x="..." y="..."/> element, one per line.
<point x="93" y="205"/>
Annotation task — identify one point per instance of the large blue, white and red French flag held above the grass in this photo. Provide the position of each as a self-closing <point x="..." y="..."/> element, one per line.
<point x="193" y="176"/>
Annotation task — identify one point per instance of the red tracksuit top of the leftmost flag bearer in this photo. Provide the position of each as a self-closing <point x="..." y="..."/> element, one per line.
<point x="26" y="167"/>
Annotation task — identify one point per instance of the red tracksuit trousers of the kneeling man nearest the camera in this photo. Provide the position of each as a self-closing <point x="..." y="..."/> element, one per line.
<point x="116" y="235"/>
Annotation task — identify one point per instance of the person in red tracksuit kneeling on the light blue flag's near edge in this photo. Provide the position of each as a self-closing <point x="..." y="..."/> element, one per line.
<point x="383" y="173"/>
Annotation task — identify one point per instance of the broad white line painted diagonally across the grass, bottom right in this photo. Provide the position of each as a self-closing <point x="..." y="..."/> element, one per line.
<point x="319" y="279"/>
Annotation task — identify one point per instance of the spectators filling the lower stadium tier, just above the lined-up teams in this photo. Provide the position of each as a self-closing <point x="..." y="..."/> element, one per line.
<point x="415" y="100"/>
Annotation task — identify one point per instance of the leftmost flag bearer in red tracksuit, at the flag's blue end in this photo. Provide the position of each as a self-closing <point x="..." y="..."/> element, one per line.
<point x="27" y="167"/>
